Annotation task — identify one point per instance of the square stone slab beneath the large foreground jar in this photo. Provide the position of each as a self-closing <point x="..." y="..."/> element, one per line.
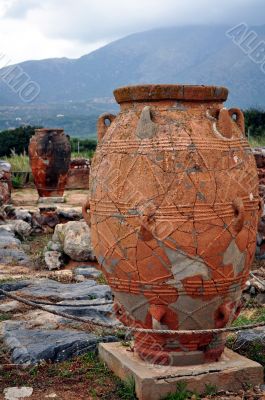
<point x="155" y="382"/>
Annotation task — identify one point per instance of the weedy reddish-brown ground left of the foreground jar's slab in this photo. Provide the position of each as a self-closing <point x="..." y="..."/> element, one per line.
<point x="87" y="373"/>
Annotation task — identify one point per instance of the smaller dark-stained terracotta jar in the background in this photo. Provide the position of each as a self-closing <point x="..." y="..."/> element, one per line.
<point x="50" y="154"/>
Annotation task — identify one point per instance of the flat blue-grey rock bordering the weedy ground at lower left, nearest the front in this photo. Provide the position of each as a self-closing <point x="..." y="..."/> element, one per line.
<point x="33" y="346"/>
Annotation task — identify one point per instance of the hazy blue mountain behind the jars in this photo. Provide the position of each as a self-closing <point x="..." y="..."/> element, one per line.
<point x="190" y="54"/>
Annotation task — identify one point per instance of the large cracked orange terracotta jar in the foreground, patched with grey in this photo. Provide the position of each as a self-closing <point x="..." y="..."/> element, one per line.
<point x="174" y="208"/>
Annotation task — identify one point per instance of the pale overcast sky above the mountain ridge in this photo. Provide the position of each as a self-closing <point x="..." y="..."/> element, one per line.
<point x="36" y="29"/>
